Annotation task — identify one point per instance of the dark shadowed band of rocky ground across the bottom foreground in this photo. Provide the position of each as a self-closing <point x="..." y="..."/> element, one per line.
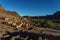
<point x="28" y="36"/>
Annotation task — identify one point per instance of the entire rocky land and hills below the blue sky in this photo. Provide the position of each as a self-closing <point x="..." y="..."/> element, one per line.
<point x="15" y="27"/>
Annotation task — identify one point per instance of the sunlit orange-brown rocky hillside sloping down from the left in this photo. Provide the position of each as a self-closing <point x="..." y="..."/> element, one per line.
<point x="12" y="19"/>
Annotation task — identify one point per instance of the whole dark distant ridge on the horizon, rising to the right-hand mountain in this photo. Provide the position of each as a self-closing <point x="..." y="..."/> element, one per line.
<point x="55" y="16"/>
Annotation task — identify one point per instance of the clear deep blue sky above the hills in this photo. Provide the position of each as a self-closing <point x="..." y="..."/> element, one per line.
<point x="32" y="7"/>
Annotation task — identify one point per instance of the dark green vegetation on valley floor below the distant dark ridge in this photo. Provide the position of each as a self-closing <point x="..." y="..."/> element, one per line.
<point x="40" y="22"/>
